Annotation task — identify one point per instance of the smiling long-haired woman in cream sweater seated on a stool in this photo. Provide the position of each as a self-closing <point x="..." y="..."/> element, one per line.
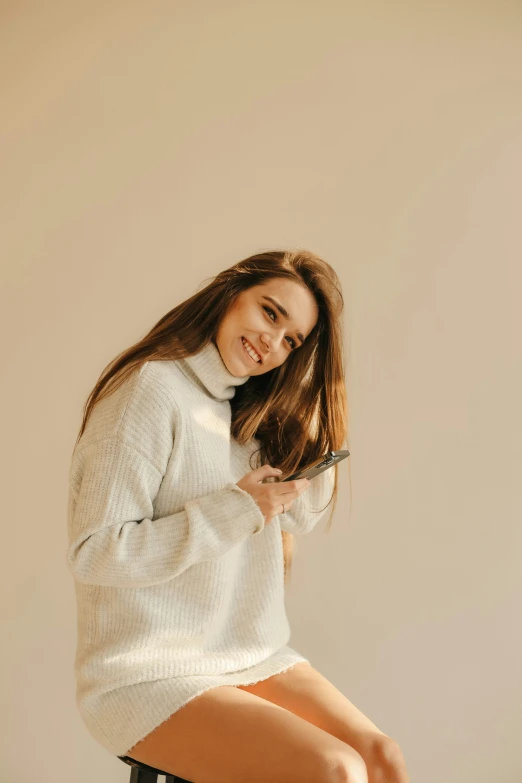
<point x="180" y="547"/>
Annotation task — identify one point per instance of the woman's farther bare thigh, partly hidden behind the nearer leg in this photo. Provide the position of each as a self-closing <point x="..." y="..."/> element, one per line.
<point x="308" y="694"/>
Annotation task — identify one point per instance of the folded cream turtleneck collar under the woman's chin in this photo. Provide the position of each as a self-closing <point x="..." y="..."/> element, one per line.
<point x="206" y="368"/>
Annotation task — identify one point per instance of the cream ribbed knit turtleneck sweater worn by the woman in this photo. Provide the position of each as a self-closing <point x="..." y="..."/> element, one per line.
<point x="178" y="580"/>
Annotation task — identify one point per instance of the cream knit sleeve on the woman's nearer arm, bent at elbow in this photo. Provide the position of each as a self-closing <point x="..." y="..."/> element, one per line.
<point x="113" y="539"/>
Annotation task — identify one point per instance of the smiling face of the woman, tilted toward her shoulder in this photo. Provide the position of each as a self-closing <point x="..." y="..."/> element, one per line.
<point x="257" y="320"/>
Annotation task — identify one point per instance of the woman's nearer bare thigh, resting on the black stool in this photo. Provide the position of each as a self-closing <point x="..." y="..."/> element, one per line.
<point x="227" y="735"/>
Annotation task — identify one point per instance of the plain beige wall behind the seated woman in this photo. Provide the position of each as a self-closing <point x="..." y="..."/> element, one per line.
<point x="148" y="145"/>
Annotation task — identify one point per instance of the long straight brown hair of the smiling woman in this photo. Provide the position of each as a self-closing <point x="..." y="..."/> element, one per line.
<point x="298" y="410"/>
